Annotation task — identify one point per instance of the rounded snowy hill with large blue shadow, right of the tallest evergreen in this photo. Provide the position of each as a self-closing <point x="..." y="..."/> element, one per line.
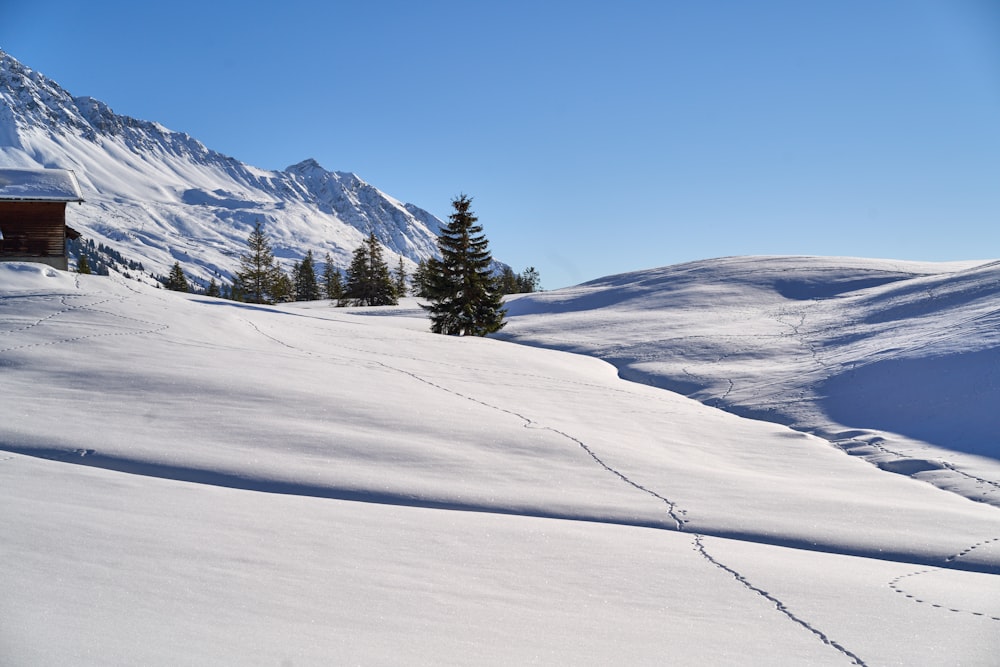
<point x="897" y="362"/>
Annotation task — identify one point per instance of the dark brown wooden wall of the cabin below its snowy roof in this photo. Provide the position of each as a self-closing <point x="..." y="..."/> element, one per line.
<point x="33" y="229"/>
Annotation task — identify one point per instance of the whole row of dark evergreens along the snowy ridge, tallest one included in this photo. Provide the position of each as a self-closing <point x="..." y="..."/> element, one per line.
<point x="463" y="287"/>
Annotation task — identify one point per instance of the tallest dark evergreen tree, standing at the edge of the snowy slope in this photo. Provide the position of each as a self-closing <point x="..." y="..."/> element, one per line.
<point x="465" y="296"/>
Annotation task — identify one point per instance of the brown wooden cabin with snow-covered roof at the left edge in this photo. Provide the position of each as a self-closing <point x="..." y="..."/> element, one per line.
<point x="33" y="215"/>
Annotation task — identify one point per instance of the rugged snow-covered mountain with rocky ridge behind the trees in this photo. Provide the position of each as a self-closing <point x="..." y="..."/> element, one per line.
<point x="158" y="196"/>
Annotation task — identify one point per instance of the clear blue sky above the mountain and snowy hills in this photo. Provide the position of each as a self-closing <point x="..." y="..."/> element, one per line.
<point x="595" y="137"/>
